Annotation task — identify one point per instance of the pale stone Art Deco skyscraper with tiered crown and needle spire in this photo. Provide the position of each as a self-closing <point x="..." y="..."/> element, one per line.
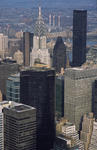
<point x="40" y="52"/>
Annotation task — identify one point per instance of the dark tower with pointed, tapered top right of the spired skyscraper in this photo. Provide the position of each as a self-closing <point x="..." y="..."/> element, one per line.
<point x="59" y="55"/>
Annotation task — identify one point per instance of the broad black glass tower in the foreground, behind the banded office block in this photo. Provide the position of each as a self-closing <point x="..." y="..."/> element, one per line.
<point x="37" y="89"/>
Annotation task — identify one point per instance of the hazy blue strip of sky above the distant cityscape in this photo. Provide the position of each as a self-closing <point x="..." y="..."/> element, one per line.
<point x="48" y="3"/>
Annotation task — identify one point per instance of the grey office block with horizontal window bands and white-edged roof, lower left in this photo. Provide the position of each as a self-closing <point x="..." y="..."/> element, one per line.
<point x="19" y="127"/>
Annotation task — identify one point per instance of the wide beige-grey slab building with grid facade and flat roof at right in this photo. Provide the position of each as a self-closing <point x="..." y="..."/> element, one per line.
<point x="78" y="93"/>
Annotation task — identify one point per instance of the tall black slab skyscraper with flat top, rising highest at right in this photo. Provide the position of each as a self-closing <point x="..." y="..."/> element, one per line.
<point x="79" y="37"/>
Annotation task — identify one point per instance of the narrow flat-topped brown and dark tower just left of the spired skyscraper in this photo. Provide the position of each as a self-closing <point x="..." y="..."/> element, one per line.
<point x="27" y="46"/>
